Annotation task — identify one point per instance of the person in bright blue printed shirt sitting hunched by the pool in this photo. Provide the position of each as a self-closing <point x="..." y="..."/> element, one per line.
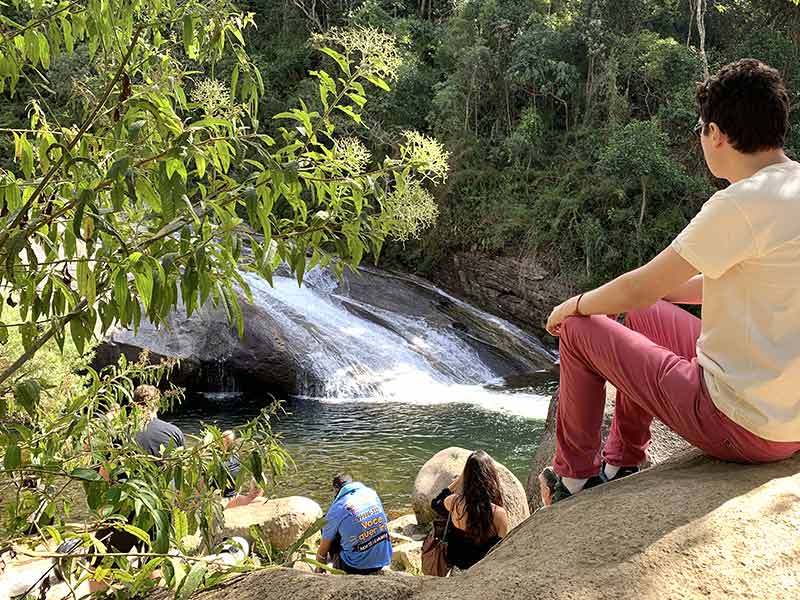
<point x="355" y="537"/>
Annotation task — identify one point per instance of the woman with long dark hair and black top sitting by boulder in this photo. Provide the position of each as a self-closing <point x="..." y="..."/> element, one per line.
<point x="474" y="505"/>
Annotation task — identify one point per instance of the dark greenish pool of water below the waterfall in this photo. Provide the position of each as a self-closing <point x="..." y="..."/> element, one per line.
<point x="382" y="444"/>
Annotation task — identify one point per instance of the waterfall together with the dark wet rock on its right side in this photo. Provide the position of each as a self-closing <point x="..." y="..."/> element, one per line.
<point x="350" y="347"/>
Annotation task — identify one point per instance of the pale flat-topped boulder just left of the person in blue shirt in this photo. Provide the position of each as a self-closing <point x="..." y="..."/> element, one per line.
<point x="281" y="521"/>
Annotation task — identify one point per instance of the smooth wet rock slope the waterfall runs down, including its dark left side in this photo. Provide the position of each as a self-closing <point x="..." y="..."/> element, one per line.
<point x="288" y="336"/>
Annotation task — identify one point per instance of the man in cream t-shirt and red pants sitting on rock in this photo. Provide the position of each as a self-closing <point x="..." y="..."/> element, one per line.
<point x="729" y="384"/>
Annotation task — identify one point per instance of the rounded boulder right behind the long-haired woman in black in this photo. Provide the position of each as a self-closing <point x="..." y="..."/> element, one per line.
<point x="440" y="471"/>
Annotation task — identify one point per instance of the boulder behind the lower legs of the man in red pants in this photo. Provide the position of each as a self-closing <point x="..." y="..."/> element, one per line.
<point x="664" y="444"/>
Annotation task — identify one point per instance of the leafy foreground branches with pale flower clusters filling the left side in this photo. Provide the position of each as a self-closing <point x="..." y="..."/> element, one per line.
<point x="138" y="176"/>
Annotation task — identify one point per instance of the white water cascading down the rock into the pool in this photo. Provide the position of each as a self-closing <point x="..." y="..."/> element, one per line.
<point x="347" y="356"/>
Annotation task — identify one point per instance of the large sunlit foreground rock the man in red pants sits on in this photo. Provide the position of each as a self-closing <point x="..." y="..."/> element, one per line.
<point x="690" y="528"/>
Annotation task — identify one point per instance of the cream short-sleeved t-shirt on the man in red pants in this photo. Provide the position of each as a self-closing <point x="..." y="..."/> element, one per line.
<point x="746" y="243"/>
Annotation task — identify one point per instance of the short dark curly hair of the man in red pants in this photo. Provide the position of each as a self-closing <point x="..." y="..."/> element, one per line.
<point x="747" y="99"/>
